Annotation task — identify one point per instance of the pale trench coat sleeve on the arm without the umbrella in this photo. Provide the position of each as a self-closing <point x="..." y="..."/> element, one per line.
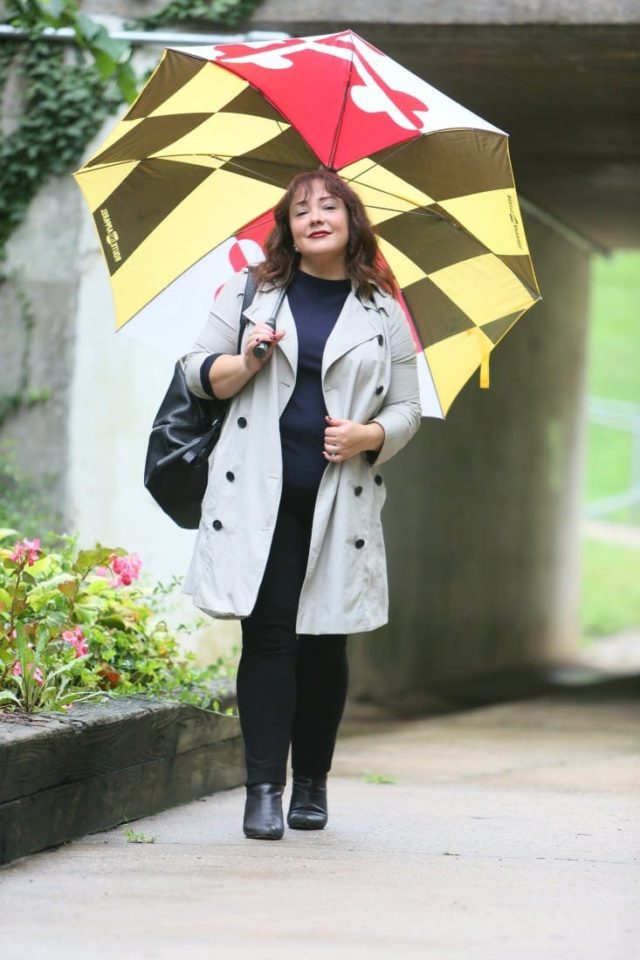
<point x="400" y="414"/>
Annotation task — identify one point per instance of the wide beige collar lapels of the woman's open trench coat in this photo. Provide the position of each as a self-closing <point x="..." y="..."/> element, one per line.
<point x="358" y="320"/>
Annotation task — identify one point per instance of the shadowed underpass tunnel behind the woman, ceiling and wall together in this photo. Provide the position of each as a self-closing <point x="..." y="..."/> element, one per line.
<point x="484" y="510"/>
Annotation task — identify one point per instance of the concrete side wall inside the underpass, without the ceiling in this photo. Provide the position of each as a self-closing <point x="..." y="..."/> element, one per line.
<point x="483" y="509"/>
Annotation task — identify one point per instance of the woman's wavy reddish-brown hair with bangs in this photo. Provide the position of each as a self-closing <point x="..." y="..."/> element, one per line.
<point x="365" y="266"/>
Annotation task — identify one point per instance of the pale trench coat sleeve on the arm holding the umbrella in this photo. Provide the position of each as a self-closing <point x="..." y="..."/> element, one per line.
<point x="219" y="333"/>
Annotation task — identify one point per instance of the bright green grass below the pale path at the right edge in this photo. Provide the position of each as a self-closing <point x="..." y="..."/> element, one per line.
<point x="610" y="588"/>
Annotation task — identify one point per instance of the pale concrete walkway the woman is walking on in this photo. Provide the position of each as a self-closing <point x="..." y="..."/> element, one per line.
<point x="510" y="831"/>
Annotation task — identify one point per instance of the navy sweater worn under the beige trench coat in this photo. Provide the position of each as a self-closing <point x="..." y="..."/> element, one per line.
<point x="315" y="305"/>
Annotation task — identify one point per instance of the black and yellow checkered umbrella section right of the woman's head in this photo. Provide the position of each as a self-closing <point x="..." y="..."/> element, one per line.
<point x="449" y="226"/>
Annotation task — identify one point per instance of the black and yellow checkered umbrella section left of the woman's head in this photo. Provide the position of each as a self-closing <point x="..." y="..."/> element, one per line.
<point x="198" y="138"/>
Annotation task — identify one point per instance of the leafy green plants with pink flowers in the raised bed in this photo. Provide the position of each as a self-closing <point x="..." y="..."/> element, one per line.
<point x="74" y="625"/>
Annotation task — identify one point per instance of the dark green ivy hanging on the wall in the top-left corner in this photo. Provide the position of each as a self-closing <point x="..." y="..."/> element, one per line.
<point x="67" y="97"/>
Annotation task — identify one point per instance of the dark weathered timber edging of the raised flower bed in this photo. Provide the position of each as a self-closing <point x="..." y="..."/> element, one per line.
<point x="62" y="777"/>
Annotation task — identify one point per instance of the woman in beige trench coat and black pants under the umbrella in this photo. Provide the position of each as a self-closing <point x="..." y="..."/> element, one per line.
<point x="290" y="539"/>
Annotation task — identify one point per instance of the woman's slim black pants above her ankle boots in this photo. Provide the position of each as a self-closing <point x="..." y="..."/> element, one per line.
<point x="291" y="688"/>
